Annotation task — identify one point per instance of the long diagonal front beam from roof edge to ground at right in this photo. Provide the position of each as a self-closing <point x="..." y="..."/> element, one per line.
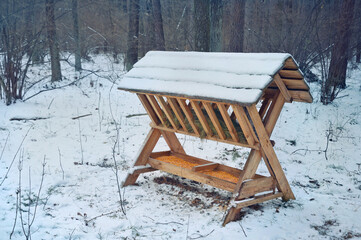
<point x="270" y="153"/>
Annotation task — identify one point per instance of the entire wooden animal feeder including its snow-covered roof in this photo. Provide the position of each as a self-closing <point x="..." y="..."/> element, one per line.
<point x="214" y="96"/>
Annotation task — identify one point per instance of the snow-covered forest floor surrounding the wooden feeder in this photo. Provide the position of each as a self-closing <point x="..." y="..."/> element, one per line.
<point x="79" y="196"/>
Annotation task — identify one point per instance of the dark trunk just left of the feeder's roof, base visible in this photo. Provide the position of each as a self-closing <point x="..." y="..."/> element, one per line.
<point x="133" y="35"/>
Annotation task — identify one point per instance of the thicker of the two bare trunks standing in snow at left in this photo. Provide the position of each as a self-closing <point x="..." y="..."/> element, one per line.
<point x="52" y="41"/>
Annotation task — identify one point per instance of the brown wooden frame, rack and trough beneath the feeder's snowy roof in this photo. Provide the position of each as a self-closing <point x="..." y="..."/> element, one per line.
<point x="237" y="123"/>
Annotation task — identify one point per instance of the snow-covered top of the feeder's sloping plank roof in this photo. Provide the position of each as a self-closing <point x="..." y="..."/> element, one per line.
<point x="227" y="77"/>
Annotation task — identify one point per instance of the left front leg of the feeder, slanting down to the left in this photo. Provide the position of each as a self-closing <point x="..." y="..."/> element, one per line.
<point x="147" y="148"/>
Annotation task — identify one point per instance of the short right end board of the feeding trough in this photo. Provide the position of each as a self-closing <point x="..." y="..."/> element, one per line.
<point x="252" y="187"/>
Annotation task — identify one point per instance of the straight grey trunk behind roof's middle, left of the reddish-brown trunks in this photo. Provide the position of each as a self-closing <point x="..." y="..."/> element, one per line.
<point x="201" y="18"/>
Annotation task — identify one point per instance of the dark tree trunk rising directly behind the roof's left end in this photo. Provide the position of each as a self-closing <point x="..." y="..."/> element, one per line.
<point x="158" y="24"/>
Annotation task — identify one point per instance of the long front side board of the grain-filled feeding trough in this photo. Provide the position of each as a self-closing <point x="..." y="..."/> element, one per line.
<point x="189" y="174"/>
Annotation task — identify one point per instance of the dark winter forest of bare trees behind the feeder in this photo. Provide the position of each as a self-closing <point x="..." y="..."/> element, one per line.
<point x="326" y="34"/>
